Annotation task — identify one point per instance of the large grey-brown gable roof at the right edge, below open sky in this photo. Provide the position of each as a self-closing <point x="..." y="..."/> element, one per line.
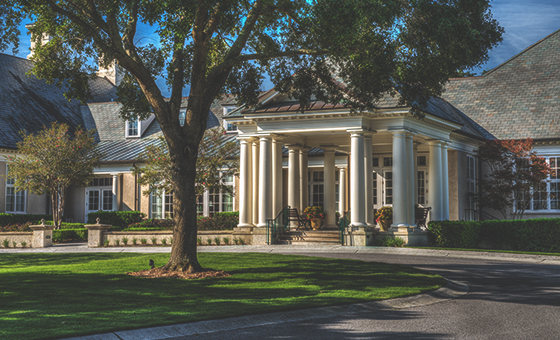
<point x="518" y="99"/>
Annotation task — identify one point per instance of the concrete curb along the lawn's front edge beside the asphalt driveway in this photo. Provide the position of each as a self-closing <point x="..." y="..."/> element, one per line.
<point x="452" y="290"/>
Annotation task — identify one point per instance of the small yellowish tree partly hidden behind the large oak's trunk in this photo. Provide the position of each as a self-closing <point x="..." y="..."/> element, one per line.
<point x="217" y="159"/>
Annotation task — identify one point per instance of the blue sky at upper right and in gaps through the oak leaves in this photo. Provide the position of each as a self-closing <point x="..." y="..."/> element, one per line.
<point x="525" y="23"/>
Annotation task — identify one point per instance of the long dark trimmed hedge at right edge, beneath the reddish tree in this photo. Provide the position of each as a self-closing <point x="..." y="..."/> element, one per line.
<point x="533" y="235"/>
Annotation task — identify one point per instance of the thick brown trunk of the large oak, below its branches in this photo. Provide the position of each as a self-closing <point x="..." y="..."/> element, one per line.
<point x="184" y="248"/>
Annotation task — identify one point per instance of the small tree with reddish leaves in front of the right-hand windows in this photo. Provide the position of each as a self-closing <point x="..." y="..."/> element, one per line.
<point x="515" y="171"/>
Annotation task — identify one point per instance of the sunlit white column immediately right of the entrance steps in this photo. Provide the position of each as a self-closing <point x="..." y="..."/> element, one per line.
<point x="357" y="179"/>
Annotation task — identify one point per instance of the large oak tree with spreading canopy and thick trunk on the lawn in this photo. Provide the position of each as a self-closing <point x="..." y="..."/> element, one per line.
<point x="226" y="46"/>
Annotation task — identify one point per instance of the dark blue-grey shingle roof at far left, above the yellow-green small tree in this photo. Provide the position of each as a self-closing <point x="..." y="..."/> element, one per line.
<point x="27" y="103"/>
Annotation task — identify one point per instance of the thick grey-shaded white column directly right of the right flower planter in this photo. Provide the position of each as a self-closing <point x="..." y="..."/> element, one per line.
<point x="400" y="183"/>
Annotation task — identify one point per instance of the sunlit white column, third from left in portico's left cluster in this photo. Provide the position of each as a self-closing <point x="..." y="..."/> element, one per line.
<point x="265" y="181"/>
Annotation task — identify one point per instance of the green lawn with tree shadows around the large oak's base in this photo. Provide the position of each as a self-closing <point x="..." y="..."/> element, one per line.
<point x="63" y="295"/>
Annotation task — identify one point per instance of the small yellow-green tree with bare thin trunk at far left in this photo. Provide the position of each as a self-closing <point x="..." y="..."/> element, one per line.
<point x="52" y="160"/>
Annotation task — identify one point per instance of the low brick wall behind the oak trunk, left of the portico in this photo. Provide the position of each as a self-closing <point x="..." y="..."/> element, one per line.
<point x="113" y="236"/>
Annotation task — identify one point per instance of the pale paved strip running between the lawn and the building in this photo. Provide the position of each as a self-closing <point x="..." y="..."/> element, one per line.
<point x="293" y="249"/>
